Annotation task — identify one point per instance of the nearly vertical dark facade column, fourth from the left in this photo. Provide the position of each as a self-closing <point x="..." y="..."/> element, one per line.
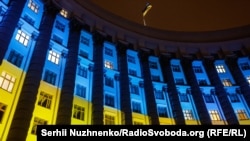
<point x="98" y="83"/>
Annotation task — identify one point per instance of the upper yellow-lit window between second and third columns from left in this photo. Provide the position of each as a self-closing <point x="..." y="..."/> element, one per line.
<point x="45" y="100"/>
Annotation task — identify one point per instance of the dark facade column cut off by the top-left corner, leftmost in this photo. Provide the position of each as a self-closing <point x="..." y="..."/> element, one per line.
<point x="9" y="23"/>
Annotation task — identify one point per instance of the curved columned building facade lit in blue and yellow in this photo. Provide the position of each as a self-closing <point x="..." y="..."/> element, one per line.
<point x="65" y="63"/>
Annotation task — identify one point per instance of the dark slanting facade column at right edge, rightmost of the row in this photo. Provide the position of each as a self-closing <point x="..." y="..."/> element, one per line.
<point x="239" y="77"/>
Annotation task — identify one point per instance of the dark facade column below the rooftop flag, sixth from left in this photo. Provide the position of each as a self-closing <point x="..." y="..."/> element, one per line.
<point x="148" y="87"/>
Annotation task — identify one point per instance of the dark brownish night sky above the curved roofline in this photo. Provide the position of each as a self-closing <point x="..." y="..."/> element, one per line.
<point x="183" y="15"/>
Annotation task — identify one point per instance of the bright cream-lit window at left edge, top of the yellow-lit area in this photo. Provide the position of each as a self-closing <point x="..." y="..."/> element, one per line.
<point x="7" y="81"/>
